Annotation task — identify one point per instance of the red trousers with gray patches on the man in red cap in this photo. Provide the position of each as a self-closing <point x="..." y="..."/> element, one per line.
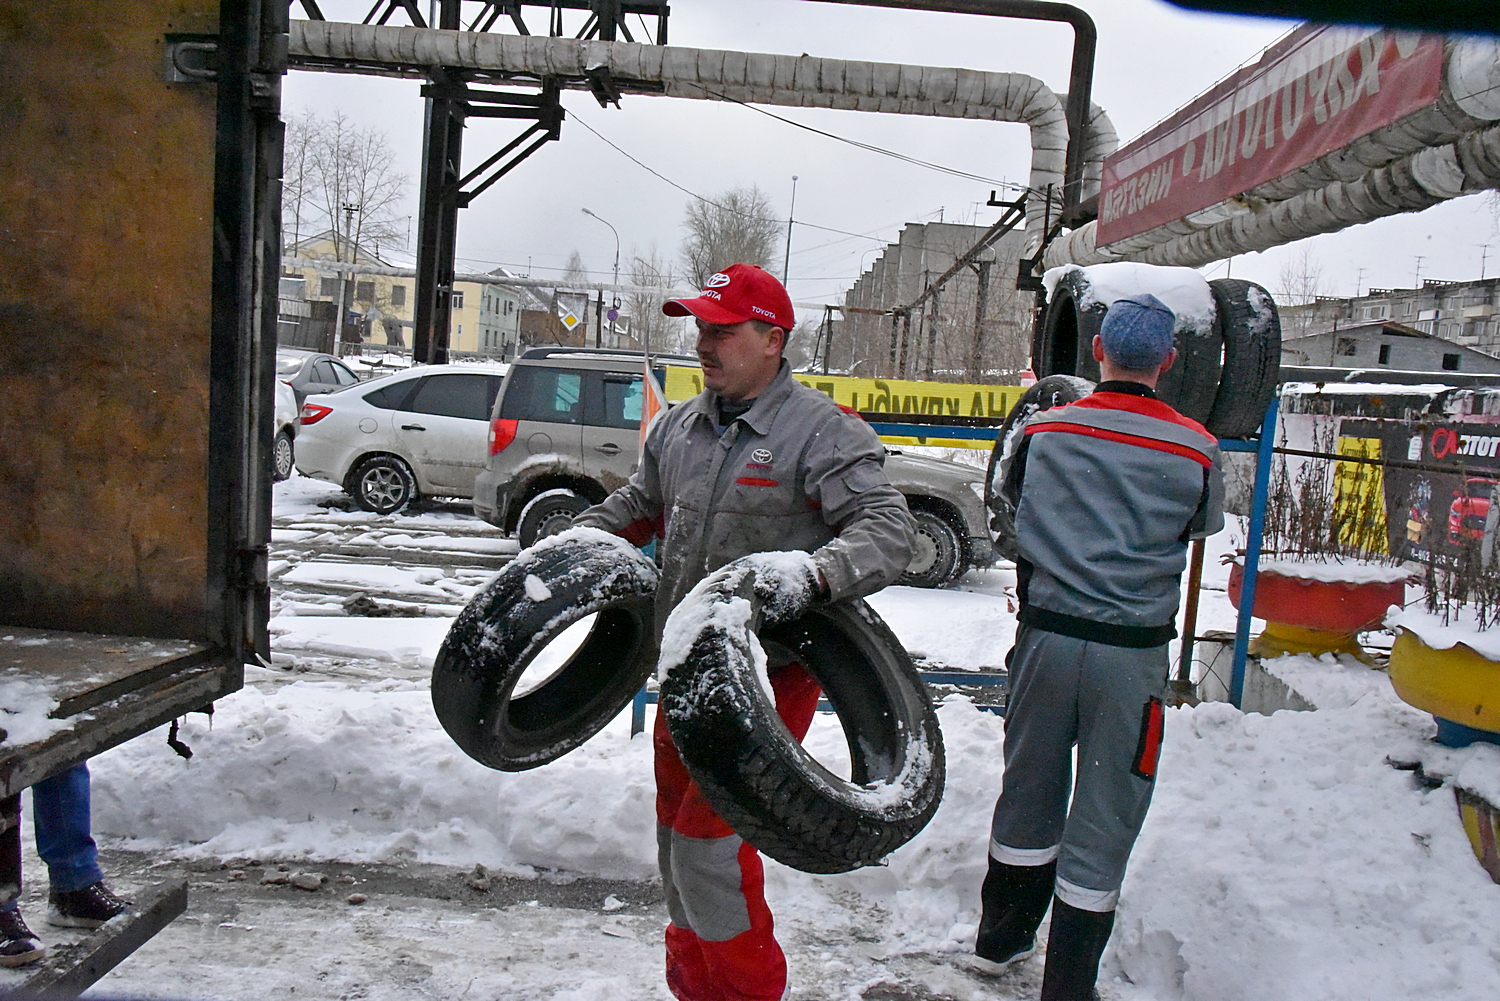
<point x="721" y="945"/>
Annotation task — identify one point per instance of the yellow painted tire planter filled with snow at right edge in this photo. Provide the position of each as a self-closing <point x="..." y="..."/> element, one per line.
<point x="1454" y="685"/>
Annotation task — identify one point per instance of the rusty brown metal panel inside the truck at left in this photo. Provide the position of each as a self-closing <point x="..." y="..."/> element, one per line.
<point x="107" y="178"/>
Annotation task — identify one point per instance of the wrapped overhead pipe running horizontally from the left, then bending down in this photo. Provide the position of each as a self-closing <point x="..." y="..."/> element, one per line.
<point x="799" y="82"/>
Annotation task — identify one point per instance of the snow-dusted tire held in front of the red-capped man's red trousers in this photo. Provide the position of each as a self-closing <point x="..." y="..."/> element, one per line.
<point x="743" y="759"/>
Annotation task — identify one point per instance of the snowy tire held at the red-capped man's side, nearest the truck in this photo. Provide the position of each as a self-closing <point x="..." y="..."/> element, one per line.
<point x="526" y="607"/>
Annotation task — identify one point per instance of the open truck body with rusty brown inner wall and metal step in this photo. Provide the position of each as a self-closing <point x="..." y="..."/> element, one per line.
<point x="140" y="208"/>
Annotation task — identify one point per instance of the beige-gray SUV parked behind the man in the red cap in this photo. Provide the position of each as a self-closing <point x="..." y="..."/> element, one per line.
<point x="565" y="433"/>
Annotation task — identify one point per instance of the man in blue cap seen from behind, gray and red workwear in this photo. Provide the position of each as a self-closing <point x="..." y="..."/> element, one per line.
<point x="1108" y="493"/>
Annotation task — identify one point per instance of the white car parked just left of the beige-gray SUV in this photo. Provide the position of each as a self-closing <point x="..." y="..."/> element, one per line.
<point x="412" y="434"/>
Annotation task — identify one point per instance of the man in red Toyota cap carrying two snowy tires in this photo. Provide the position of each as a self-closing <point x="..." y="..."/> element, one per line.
<point x="757" y="463"/>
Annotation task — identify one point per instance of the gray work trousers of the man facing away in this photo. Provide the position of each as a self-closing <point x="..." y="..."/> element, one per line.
<point x="1108" y="702"/>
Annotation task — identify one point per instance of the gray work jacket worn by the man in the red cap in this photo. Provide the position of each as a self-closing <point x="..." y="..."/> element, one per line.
<point x="793" y="473"/>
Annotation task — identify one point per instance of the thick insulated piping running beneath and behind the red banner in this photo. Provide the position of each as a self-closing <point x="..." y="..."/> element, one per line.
<point x="1429" y="157"/>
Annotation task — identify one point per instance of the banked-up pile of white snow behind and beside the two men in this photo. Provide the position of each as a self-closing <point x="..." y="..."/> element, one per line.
<point x="1283" y="856"/>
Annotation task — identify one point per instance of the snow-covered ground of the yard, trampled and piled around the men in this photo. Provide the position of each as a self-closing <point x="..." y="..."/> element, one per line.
<point x="1285" y="859"/>
